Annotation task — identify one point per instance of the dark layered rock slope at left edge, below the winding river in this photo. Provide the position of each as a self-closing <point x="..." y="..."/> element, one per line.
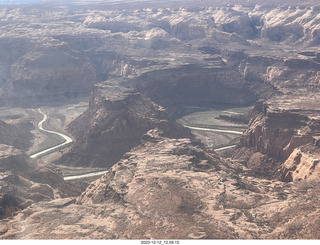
<point x="23" y="182"/>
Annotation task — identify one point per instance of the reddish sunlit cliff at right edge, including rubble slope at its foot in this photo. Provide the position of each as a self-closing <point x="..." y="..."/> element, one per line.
<point x="281" y="130"/>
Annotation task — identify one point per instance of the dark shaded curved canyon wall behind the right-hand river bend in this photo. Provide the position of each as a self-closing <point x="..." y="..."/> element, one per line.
<point x="194" y="85"/>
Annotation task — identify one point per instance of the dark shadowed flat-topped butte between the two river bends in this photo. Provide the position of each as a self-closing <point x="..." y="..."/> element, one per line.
<point x="115" y="122"/>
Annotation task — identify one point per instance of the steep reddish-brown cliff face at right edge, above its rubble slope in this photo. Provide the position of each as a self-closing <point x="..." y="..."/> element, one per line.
<point x="284" y="132"/>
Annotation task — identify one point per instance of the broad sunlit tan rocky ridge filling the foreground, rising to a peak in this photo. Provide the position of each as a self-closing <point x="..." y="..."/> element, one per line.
<point x="170" y="189"/>
